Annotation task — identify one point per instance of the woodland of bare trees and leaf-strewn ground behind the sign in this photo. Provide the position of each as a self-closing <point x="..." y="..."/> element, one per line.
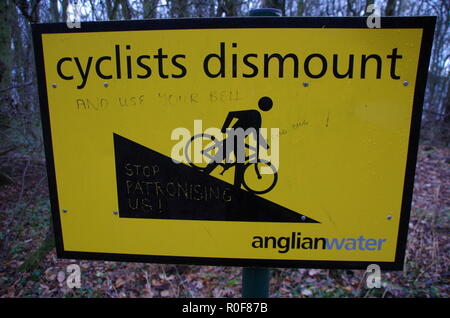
<point x="28" y="265"/>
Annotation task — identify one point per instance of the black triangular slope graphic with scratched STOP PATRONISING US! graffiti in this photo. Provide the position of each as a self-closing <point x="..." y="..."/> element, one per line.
<point x="151" y="185"/>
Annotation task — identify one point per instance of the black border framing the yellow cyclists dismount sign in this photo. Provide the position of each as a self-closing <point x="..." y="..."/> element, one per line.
<point x="426" y="23"/>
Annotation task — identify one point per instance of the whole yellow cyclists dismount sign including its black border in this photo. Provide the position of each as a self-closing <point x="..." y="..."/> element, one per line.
<point x="285" y="142"/>
